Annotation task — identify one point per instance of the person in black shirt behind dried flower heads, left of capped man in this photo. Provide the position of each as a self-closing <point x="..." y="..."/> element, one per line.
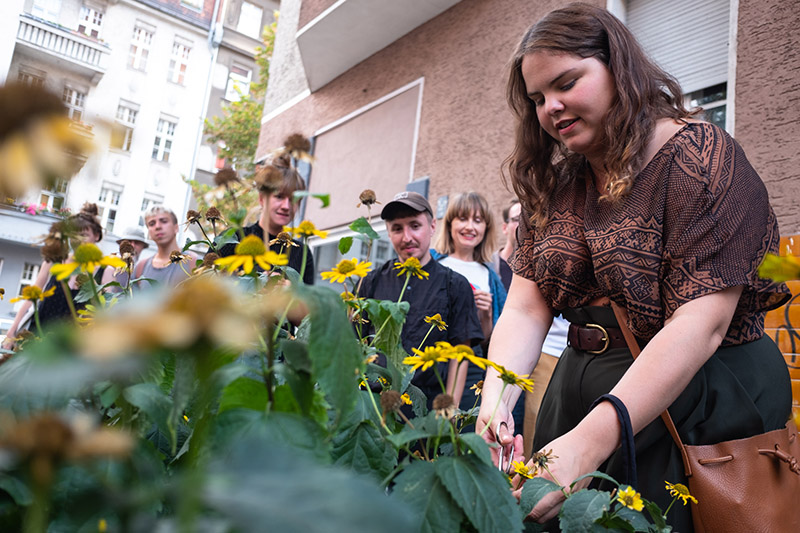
<point x="276" y="186"/>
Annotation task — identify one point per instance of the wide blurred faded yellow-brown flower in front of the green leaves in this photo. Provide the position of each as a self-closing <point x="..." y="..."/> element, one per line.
<point x="200" y="308"/>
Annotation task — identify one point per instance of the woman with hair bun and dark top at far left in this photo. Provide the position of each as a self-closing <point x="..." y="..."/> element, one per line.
<point x="87" y="229"/>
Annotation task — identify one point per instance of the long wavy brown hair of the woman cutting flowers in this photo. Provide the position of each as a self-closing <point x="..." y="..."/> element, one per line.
<point x="644" y="94"/>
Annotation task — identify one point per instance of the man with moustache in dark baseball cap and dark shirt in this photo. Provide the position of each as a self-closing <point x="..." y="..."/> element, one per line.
<point x="410" y="225"/>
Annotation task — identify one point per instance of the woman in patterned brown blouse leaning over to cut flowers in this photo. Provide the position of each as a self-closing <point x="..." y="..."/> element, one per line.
<point x="626" y="197"/>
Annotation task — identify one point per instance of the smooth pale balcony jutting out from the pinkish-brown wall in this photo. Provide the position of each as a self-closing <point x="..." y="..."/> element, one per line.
<point x="349" y="31"/>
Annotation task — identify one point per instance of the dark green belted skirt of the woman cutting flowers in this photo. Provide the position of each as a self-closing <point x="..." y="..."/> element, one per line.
<point x="741" y="391"/>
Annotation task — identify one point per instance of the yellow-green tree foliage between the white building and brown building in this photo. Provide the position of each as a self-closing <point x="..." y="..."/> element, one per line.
<point x="240" y="123"/>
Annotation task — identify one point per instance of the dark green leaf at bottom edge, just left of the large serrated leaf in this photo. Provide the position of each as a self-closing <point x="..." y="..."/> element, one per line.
<point x="434" y="508"/>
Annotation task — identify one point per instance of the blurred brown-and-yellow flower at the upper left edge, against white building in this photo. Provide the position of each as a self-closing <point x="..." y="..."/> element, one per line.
<point x="38" y="142"/>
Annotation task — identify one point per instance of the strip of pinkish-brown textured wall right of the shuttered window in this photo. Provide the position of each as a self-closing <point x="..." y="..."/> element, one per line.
<point x="768" y="100"/>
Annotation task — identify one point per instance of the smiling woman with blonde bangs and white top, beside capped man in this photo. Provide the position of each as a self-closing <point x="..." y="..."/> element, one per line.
<point x="464" y="244"/>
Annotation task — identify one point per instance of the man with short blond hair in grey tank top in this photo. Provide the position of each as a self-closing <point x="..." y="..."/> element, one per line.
<point x="169" y="266"/>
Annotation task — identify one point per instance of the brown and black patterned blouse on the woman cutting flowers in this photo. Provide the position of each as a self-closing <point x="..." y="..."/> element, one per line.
<point x="696" y="221"/>
